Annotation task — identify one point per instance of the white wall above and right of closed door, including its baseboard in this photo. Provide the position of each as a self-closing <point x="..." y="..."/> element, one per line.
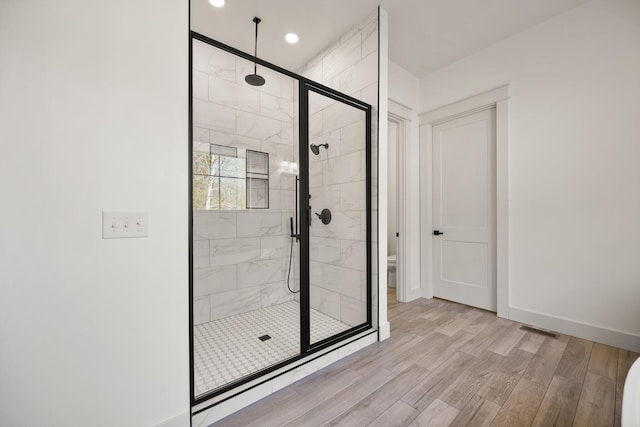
<point x="574" y="180"/>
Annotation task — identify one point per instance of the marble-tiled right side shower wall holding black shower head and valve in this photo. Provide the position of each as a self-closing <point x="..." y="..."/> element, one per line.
<point x="337" y="175"/>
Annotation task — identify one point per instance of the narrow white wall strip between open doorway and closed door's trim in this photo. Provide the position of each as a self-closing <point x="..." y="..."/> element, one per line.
<point x="404" y="90"/>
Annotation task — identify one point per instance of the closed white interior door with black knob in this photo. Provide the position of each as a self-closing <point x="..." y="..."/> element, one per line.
<point x="464" y="218"/>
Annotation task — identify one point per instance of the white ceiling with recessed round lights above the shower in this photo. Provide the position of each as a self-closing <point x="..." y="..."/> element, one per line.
<point x="424" y="35"/>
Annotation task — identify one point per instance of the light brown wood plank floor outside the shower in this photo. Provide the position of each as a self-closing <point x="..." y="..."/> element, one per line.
<point x="447" y="364"/>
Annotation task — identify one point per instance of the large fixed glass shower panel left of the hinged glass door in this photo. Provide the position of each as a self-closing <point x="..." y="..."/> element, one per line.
<point x="246" y="310"/>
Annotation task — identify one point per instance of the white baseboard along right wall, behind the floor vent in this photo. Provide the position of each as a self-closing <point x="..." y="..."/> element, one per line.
<point x="610" y="337"/>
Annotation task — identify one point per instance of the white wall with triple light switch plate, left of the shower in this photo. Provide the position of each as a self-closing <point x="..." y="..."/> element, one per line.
<point x="93" y="117"/>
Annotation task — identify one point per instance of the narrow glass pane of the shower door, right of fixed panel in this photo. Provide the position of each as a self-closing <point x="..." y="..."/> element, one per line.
<point x="338" y="207"/>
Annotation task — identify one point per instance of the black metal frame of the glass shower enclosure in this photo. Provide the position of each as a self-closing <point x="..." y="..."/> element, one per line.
<point x="304" y="217"/>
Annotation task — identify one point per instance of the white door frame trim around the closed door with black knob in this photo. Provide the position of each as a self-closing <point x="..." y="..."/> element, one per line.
<point x="497" y="98"/>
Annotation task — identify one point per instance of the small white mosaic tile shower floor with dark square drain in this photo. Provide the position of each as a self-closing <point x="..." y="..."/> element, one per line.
<point x="228" y="349"/>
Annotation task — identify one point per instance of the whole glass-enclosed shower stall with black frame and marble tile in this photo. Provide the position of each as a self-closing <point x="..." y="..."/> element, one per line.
<point x="281" y="226"/>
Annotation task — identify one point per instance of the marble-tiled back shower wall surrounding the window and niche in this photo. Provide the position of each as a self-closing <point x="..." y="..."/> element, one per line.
<point x="241" y="257"/>
